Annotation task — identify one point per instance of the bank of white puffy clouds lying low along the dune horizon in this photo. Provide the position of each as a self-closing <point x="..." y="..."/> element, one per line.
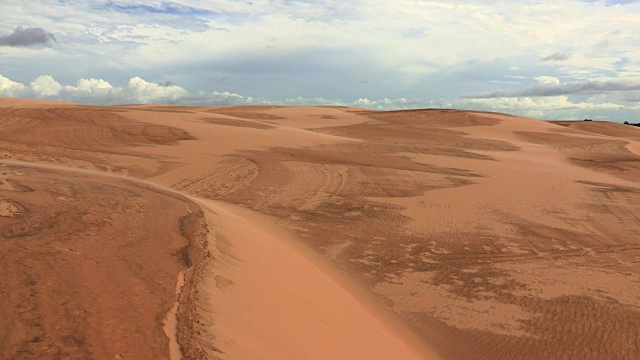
<point x="140" y="91"/>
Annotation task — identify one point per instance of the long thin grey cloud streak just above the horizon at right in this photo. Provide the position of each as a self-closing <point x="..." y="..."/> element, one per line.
<point x="575" y="87"/>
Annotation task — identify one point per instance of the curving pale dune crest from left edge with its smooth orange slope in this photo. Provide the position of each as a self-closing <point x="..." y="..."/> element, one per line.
<point x="336" y="323"/>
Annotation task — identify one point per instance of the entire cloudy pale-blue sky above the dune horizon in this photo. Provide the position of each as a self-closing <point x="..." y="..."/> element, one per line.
<point x="571" y="59"/>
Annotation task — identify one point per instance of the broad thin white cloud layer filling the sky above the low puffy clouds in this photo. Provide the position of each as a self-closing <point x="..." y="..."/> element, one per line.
<point x="317" y="48"/>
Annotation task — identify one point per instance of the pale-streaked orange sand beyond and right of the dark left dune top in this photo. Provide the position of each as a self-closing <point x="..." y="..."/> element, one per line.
<point x="484" y="235"/>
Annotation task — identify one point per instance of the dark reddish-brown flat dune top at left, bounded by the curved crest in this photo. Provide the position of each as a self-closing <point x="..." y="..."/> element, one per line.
<point x="88" y="271"/>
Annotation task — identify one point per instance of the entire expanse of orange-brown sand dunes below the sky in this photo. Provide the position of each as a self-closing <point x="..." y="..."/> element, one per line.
<point x="315" y="233"/>
